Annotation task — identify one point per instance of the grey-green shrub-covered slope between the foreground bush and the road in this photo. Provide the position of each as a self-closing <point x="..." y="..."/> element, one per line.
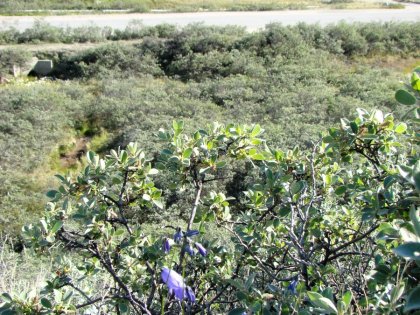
<point x="293" y="80"/>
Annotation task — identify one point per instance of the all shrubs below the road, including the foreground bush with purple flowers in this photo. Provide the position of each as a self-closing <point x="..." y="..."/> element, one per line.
<point x="266" y="211"/>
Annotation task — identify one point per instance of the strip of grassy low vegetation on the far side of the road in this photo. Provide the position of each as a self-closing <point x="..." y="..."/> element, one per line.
<point x="42" y="6"/>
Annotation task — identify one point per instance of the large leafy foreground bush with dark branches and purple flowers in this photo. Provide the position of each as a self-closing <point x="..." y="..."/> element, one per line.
<point x="316" y="231"/>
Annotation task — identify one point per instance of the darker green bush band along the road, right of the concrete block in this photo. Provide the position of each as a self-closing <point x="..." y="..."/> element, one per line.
<point x="199" y="52"/>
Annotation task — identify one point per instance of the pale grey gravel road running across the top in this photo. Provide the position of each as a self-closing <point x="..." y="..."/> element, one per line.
<point x="250" y="20"/>
